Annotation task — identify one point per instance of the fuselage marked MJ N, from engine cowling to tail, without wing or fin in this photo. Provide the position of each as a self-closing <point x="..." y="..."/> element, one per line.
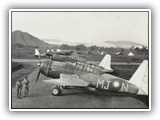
<point x="93" y="74"/>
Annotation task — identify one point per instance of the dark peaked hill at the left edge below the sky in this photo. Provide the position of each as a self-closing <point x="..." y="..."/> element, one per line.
<point x="19" y="37"/>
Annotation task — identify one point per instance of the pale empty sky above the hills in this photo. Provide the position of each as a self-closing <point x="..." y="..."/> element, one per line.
<point x="84" y="27"/>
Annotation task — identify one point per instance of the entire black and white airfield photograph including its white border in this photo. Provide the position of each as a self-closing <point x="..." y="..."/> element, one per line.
<point x="80" y="59"/>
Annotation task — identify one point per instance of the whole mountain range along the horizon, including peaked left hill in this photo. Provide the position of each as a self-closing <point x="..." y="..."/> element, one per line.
<point x="24" y="38"/>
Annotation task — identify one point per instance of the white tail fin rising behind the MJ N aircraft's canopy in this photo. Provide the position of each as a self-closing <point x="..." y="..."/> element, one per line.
<point x="106" y="63"/>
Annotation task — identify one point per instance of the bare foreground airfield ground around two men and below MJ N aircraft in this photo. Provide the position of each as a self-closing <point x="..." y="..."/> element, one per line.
<point x="40" y="95"/>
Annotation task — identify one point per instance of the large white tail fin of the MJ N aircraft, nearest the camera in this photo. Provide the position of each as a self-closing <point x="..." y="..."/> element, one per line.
<point x="140" y="78"/>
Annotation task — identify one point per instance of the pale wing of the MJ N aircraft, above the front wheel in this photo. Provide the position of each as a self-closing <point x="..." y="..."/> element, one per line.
<point x="68" y="80"/>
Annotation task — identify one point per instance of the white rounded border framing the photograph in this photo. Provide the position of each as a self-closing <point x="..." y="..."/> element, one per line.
<point x="78" y="10"/>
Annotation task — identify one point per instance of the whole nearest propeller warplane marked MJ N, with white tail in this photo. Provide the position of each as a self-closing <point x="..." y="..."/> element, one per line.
<point x="83" y="75"/>
